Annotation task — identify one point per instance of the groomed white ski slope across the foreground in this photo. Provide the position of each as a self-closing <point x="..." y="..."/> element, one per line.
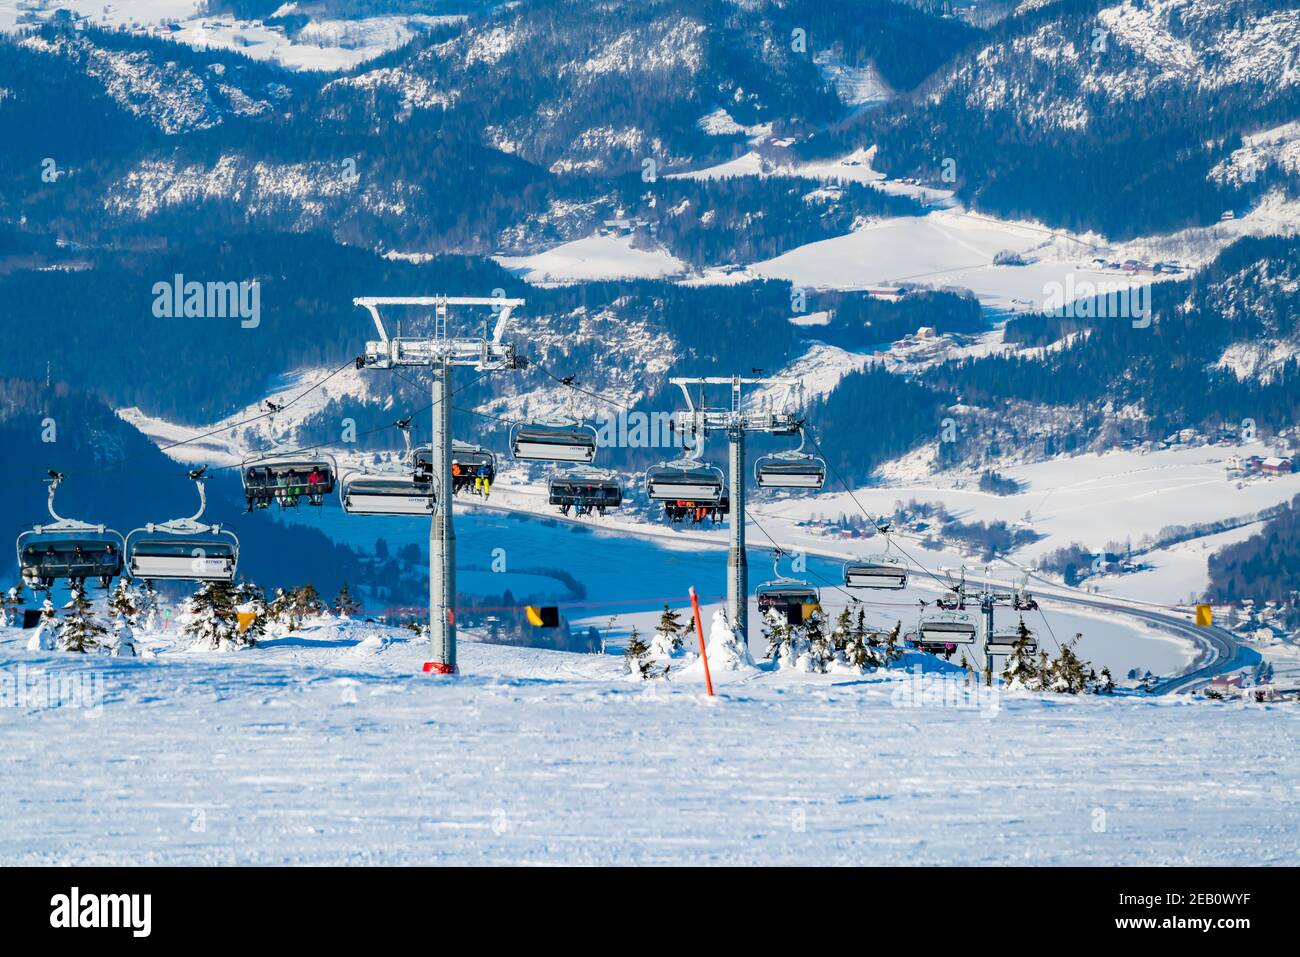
<point x="327" y="748"/>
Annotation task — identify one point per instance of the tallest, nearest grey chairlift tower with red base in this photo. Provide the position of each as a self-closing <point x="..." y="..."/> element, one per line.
<point x="441" y="352"/>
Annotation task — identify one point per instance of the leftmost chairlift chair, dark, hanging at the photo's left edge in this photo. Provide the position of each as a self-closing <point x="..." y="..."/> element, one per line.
<point x="68" y="549"/>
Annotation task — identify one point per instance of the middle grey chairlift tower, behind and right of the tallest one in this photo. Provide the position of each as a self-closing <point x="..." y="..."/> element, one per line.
<point x="736" y="423"/>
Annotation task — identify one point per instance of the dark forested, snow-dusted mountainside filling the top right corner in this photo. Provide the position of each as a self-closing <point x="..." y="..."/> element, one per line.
<point x="1104" y="116"/>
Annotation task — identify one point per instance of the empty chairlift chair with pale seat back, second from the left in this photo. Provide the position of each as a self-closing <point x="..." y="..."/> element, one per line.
<point x="184" y="549"/>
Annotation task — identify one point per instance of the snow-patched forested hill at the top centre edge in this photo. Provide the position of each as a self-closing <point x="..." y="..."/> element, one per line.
<point x="579" y="97"/>
